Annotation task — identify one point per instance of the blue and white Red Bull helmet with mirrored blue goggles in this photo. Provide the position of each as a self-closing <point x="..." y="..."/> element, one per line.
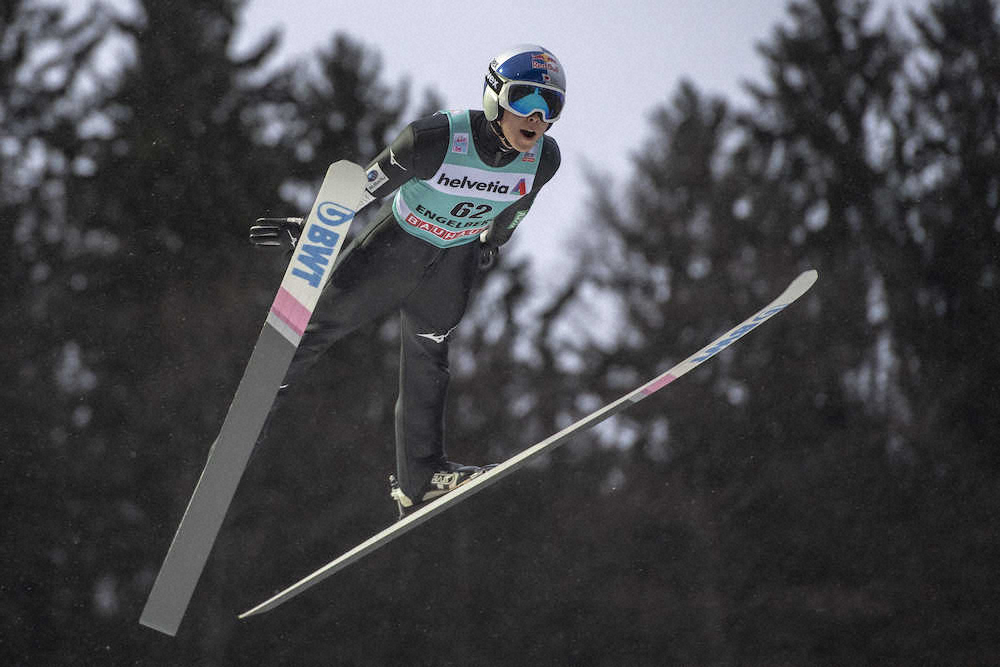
<point x="523" y="80"/>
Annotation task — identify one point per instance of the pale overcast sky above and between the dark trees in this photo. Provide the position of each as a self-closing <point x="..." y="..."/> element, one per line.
<point x="622" y="60"/>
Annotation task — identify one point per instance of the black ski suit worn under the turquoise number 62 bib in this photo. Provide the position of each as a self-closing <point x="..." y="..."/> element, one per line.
<point x="387" y="268"/>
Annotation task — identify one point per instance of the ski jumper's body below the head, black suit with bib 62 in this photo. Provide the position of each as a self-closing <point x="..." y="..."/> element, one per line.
<point x="420" y="255"/>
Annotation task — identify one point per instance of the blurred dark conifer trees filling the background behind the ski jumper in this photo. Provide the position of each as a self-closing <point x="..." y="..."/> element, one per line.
<point x="823" y="493"/>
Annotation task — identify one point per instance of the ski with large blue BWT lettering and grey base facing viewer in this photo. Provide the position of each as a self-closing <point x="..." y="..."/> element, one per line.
<point x="310" y="266"/>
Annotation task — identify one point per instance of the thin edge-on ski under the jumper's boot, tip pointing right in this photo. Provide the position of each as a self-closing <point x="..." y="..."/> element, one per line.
<point x="797" y="288"/>
